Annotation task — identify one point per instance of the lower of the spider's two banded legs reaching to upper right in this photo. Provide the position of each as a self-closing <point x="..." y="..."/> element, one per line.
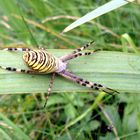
<point x="72" y="56"/>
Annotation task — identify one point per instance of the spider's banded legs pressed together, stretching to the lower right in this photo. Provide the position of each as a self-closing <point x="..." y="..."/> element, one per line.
<point x="86" y="83"/>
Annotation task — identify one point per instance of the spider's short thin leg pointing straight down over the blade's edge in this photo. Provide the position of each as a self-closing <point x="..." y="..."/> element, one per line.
<point x="50" y="88"/>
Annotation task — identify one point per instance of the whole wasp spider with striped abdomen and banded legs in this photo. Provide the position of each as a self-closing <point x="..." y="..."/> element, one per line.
<point x="41" y="62"/>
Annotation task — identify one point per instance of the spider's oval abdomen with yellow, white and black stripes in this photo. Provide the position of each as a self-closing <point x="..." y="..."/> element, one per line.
<point x="41" y="61"/>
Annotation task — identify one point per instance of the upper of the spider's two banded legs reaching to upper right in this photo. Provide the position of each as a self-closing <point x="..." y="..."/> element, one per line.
<point x="66" y="57"/>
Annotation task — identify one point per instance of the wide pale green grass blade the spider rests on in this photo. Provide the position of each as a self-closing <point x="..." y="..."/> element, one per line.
<point x="120" y="71"/>
